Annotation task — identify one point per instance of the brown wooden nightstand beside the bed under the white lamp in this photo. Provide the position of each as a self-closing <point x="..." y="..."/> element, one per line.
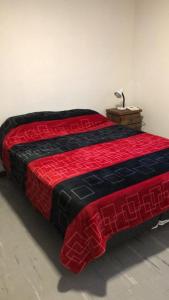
<point x="129" y="118"/>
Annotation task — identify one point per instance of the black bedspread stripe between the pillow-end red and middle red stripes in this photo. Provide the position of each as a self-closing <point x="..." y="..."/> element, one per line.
<point x="21" y="155"/>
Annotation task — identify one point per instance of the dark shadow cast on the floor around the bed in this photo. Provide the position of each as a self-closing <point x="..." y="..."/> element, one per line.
<point x="95" y="277"/>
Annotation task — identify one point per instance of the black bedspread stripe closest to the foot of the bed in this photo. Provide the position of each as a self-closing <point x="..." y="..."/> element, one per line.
<point x="70" y="196"/>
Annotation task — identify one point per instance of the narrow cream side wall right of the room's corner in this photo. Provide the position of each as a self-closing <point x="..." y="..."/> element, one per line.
<point x="152" y="63"/>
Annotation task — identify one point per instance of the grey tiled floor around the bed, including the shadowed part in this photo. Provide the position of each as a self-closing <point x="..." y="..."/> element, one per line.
<point x="30" y="267"/>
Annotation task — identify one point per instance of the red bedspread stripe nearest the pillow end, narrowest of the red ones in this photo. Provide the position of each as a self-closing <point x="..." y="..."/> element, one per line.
<point x="36" y="131"/>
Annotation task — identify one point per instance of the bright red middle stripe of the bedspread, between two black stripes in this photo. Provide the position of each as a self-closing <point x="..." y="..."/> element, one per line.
<point x="45" y="173"/>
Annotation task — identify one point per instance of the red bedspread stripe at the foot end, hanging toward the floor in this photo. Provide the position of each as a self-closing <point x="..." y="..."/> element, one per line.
<point x="87" y="235"/>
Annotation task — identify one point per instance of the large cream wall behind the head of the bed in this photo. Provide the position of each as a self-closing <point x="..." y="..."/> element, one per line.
<point x="62" y="54"/>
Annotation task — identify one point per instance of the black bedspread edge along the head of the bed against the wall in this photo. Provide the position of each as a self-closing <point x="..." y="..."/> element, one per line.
<point x="15" y="121"/>
